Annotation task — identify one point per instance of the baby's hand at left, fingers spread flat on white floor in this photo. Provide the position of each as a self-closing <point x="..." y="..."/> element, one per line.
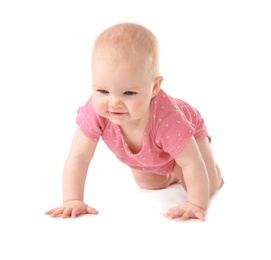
<point x="72" y="208"/>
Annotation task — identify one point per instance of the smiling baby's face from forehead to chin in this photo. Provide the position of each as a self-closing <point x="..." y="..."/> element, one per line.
<point x="122" y="92"/>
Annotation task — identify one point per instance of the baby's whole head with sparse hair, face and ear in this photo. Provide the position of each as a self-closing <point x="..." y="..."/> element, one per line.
<point x="125" y="73"/>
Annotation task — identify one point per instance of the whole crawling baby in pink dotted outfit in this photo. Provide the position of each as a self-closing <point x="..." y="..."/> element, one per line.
<point x="162" y="139"/>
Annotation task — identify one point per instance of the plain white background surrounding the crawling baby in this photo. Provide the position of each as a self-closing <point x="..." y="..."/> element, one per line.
<point x="214" y="54"/>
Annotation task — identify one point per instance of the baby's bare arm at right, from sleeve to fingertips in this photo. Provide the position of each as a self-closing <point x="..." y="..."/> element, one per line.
<point x="196" y="180"/>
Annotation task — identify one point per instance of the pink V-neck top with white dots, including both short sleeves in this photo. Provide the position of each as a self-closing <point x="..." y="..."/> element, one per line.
<point x="172" y="123"/>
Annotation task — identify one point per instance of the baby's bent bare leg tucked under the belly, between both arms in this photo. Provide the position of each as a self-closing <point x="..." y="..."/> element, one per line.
<point x="152" y="181"/>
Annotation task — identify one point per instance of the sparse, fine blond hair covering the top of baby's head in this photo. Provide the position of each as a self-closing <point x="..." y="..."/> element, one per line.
<point x="124" y="41"/>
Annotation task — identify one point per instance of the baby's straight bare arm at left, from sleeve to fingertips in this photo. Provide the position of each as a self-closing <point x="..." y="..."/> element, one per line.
<point x="74" y="176"/>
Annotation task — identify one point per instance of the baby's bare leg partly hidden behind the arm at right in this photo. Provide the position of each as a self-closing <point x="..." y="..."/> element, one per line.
<point x="214" y="173"/>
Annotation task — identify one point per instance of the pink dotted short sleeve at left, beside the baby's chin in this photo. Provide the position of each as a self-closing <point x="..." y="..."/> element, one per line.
<point x="90" y="123"/>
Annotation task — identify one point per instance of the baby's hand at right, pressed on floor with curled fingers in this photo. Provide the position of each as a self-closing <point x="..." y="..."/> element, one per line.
<point x="186" y="211"/>
